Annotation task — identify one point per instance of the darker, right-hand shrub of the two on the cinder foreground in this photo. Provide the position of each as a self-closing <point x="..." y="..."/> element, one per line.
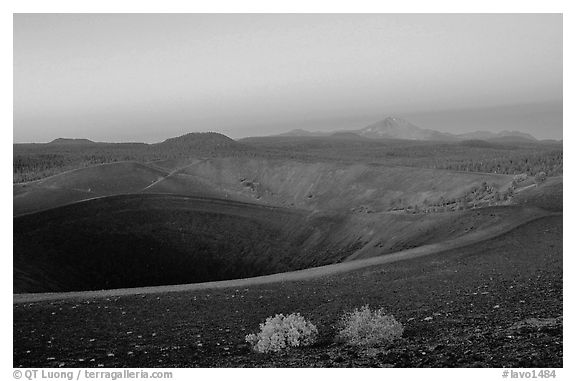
<point x="363" y="327"/>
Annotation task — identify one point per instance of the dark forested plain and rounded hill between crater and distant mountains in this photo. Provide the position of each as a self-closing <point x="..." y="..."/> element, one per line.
<point x="36" y="161"/>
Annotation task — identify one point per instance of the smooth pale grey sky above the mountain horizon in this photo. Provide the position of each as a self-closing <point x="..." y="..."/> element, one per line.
<point x="147" y="77"/>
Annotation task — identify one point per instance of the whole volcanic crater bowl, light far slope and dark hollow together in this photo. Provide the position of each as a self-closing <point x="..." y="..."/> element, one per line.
<point x="134" y="224"/>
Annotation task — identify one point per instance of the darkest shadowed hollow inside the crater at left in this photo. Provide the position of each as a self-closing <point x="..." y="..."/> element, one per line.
<point x="149" y="240"/>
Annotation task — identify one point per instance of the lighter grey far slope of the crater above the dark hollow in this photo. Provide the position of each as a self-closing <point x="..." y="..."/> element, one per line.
<point x="280" y="182"/>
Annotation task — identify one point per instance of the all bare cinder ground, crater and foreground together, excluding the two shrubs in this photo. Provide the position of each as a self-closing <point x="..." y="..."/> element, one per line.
<point x="172" y="262"/>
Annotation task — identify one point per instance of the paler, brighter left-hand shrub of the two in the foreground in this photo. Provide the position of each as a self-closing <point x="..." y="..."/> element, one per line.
<point x="279" y="332"/>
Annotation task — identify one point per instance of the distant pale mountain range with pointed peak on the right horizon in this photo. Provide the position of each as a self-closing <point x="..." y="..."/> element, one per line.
<point x="398" y="128"/>
